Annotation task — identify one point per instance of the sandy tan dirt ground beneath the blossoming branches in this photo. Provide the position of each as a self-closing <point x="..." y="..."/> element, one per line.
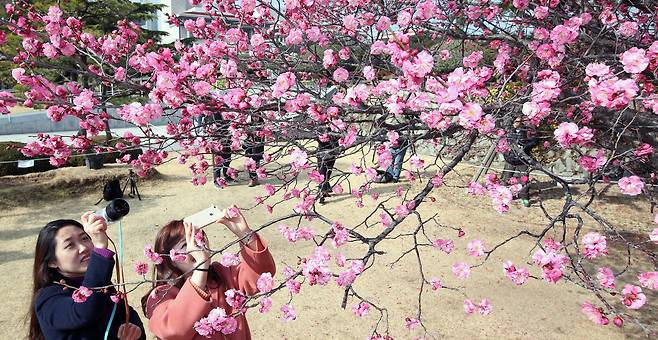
<point x="536" y="310"/>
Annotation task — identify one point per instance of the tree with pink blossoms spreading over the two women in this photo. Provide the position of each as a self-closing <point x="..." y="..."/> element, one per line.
<point x="448" y="74"/>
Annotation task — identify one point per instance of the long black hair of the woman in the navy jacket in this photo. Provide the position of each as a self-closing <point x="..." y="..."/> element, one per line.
<point x="42" y="275"/>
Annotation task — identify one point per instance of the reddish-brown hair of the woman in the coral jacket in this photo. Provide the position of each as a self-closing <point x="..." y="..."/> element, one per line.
<point x="168" y="236"/>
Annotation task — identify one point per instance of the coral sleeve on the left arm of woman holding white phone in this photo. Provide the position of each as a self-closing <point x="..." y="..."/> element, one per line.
<point x="173" y="312"/>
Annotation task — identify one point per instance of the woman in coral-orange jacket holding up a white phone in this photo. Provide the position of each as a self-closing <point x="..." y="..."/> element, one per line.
<point x="198" y="286"/>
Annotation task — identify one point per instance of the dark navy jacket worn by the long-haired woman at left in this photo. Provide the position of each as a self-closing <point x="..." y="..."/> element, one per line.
<point x="62" y="318"/>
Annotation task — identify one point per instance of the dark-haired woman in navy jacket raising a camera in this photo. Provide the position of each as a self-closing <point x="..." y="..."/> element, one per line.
<point x="68" y="253"/>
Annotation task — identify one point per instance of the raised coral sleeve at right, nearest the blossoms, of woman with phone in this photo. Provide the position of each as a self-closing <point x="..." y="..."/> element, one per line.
<point x="254" y="263"/>
